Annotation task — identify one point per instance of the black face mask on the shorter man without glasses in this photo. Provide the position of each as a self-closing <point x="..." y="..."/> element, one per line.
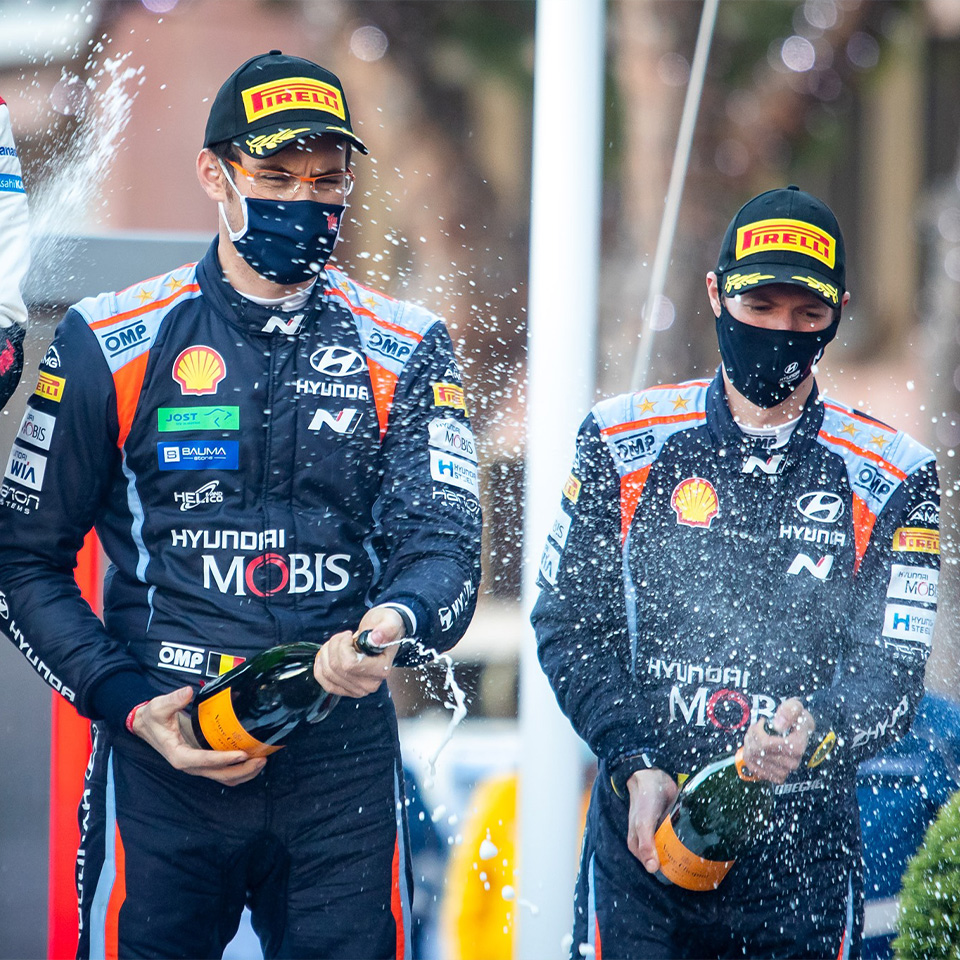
<point x="766" y="366"/>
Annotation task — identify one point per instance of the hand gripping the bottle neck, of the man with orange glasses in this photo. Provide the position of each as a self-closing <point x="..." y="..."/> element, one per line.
<point x="342" y="670"/>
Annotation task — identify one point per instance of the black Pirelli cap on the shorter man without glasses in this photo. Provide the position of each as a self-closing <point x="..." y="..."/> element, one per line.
<point x="784" y="236"/>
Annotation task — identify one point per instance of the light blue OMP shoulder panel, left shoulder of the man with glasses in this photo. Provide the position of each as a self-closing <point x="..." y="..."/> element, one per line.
<point x="126" y="324"/>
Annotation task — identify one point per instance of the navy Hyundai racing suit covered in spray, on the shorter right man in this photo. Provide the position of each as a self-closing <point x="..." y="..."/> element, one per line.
<point x="693" y="579"/>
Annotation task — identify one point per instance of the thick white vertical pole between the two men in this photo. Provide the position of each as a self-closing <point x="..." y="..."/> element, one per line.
<point x="562" y="309"/>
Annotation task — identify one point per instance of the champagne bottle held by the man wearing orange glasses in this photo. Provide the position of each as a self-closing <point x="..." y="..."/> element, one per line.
<point x="255" y="706"/>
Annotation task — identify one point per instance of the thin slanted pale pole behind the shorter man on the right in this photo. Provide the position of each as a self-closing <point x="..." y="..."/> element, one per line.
<point x="671" y="208"/>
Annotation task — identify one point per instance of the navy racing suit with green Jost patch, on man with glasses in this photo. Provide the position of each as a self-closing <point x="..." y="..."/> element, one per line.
<point x="256" y="478"/>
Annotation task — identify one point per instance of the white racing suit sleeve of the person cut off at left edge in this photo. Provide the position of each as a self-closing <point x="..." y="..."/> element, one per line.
<point x="14" y="260"/>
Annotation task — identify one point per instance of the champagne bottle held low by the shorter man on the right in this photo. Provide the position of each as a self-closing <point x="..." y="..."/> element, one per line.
<point x="714" y="813"/>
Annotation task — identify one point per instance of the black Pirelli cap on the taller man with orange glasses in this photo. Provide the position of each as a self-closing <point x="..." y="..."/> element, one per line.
<point x="274" y="100"/>
